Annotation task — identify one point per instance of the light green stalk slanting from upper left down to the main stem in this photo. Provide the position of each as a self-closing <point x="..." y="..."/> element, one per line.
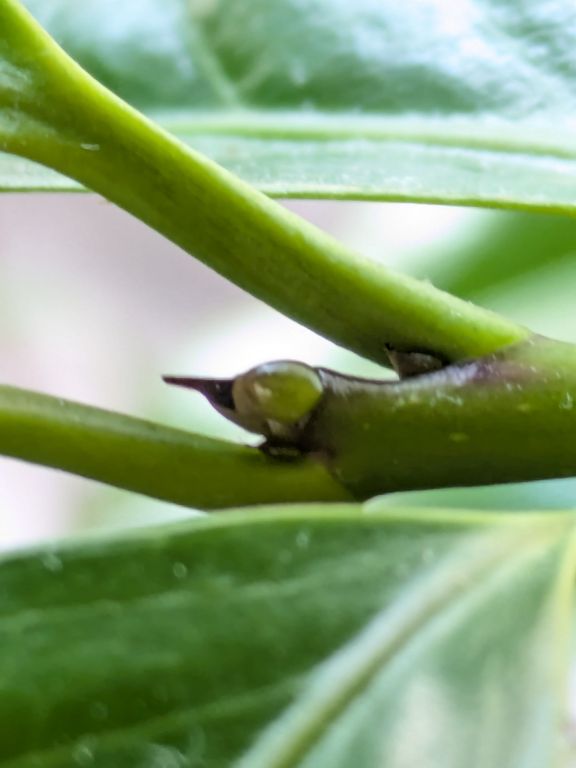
<point x="52" y="112"/>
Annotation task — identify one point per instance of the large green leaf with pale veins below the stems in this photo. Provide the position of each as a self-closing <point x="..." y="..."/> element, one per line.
<point x="294" y="637"/>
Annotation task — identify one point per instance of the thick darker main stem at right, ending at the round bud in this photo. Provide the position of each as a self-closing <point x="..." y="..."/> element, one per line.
<point x="508" y="417"/>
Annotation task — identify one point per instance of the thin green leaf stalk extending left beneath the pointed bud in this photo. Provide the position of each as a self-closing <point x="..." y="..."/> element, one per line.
<point x="157" y="461"/>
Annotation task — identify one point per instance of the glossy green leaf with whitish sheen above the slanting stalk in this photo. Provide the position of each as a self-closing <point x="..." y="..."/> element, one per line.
<point x="354" y="100"/>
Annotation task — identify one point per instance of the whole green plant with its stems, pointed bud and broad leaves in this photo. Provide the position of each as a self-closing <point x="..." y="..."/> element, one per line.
<point x="315" y="634"/>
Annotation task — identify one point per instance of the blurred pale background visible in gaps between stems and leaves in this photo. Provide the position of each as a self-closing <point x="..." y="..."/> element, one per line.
<point x="95" y="307"/>
